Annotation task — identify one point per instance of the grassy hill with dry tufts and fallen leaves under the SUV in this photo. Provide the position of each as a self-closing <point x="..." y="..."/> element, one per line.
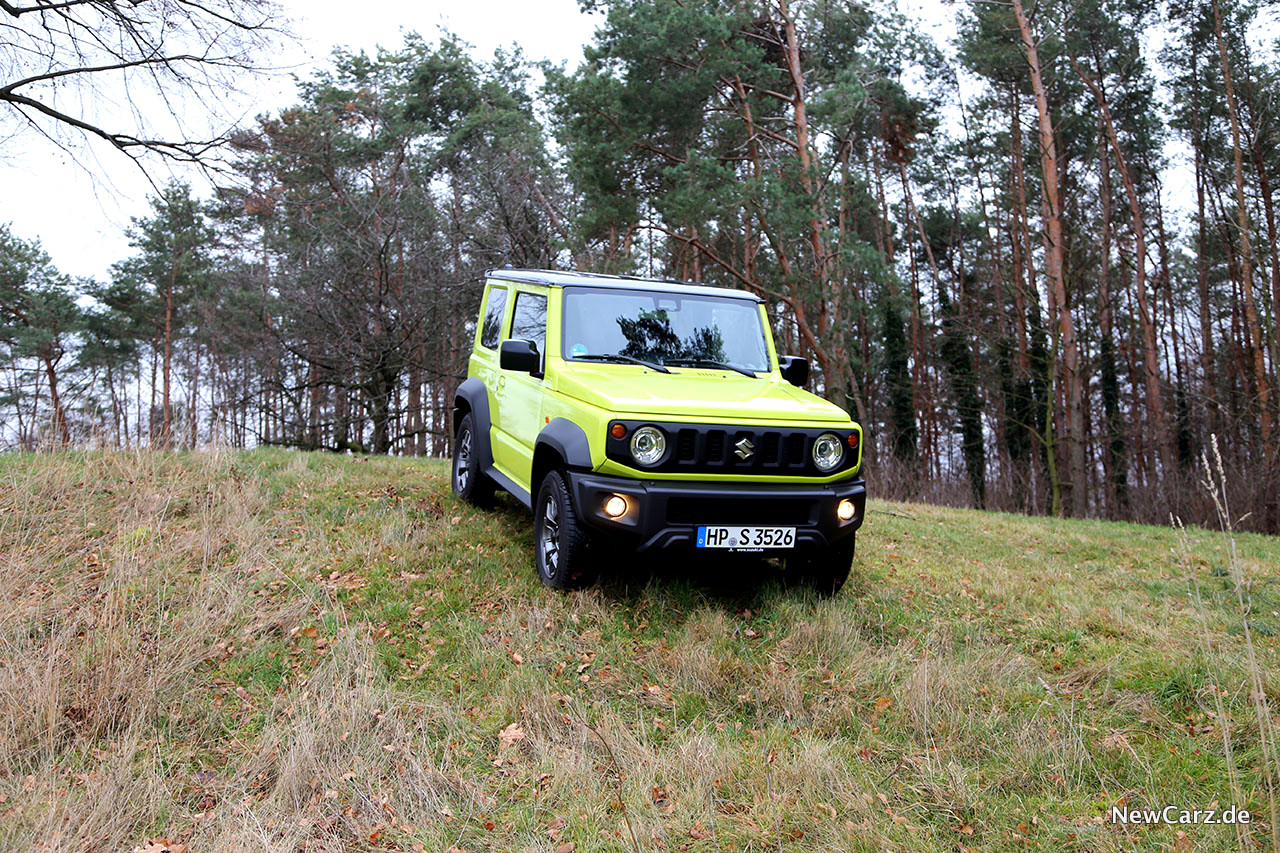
<point x="299" y="653"/>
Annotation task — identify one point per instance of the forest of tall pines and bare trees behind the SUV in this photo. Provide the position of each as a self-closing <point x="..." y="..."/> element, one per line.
<point x="1037" y="263"/>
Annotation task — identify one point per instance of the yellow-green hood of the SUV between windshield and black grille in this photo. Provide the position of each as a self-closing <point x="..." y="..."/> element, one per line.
<point x="693" y="394"/>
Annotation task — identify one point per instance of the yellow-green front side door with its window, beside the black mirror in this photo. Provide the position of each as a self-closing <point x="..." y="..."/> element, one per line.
<point x="523" y="393"/>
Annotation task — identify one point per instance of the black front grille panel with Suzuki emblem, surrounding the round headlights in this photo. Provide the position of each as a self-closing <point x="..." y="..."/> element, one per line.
<point x="712" y="449"/>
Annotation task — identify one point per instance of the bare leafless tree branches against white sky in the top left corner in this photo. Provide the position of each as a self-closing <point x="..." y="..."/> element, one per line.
<point x="127" y="72"/>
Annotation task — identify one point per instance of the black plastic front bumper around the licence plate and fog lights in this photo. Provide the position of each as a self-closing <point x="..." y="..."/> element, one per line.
<point x="666" y="514"/>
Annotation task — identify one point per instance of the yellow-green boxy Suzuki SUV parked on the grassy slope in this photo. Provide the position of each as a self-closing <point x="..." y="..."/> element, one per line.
<point x="656" y="414"/>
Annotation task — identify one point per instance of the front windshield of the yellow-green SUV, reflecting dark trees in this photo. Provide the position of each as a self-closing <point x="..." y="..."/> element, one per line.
<point x="664" y="329"/>
